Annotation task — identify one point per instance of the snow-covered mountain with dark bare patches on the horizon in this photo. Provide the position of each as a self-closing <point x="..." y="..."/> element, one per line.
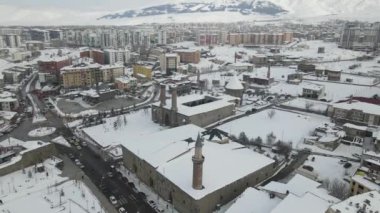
<point x="350" y="9"/>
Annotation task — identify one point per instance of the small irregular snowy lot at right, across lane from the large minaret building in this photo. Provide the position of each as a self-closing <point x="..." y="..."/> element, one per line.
<point x="329" y="167"/>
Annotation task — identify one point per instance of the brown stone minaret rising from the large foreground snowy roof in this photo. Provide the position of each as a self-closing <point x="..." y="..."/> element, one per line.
<point x="198" y="160"/>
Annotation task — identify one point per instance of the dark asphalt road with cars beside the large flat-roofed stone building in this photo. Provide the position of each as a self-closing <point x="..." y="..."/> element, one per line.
<point x="96" y="169"/>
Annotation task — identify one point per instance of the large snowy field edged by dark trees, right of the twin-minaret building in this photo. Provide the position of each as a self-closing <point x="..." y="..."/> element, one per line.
<point x="261" y="124"/>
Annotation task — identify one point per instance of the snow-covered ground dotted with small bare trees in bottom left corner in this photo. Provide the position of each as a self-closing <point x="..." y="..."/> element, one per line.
<point x="45" y="192"/>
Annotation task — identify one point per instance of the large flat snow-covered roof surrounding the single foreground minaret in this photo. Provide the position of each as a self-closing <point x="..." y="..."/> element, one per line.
<point x="169" y="152"/>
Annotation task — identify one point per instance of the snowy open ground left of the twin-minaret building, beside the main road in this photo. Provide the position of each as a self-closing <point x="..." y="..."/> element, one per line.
<point x="121" y="129"/>
